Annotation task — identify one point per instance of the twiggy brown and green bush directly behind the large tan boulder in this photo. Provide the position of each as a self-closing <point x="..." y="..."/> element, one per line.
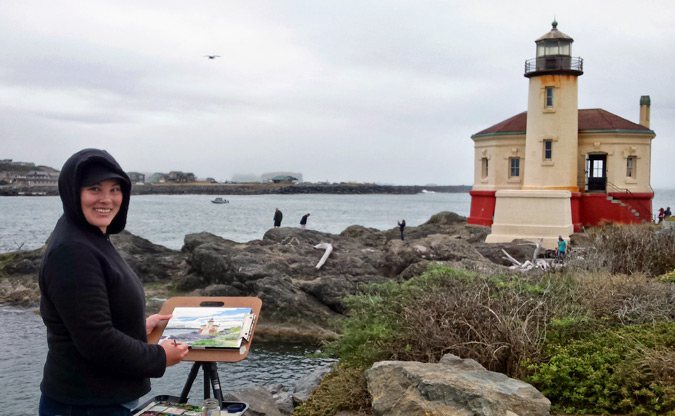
<point x="497" y="320"/>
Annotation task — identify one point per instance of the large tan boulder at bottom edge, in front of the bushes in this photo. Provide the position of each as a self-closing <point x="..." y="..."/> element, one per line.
<point x="451" y="387"/>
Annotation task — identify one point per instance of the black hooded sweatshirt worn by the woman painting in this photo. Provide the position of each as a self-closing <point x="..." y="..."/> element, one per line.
<point x="93" y="304"/>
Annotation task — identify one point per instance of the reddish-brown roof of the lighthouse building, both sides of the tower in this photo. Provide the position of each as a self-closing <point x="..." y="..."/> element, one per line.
<point x="595" y="119"/>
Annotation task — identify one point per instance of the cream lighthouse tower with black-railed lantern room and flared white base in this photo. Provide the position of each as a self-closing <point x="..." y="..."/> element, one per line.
<point x="541" y="208"/>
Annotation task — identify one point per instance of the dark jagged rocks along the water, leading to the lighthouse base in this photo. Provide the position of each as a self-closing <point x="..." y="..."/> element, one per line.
<point x="300" y="302"/>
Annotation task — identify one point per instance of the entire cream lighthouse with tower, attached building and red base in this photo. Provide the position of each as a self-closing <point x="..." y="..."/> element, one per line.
<point x="554" y="169"/>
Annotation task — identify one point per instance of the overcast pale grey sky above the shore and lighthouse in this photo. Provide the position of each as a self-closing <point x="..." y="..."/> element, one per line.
<point x="382" y="91"/>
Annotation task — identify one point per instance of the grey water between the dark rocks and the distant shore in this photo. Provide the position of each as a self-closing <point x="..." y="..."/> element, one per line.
<point x="26" y="222"/>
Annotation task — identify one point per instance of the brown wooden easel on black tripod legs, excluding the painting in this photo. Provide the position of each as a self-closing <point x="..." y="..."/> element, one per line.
<point x="207" y="359"/>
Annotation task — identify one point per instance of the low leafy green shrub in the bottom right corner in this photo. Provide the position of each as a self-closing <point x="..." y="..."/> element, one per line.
<point x="610" y="372"/>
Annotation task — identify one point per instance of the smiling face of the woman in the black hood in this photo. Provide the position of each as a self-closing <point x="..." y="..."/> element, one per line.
<point x="101" y="202"/>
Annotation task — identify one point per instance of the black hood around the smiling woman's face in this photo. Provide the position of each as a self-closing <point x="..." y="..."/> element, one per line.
<point x="70" y="184"/>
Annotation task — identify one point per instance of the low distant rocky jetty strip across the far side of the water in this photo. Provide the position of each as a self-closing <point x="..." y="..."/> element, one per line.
<point x="251" y="189"/>
